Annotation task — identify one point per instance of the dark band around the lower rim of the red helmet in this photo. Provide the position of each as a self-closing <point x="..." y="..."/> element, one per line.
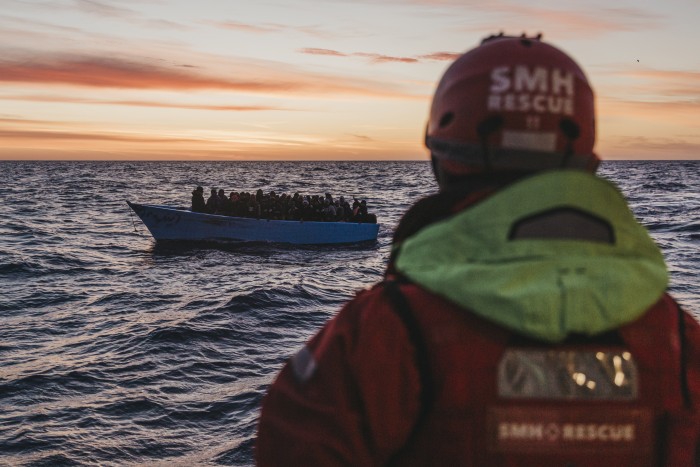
<point x="506" y="158"/>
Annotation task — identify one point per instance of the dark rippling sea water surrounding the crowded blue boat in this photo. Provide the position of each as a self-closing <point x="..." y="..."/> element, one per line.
<point x="115" y="350"/>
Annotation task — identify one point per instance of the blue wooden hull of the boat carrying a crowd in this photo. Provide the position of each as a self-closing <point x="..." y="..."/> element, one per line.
<point x="171" y="223"/>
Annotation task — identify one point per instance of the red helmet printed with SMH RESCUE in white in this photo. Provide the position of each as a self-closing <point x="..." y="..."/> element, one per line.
<point x="512" y="104"/>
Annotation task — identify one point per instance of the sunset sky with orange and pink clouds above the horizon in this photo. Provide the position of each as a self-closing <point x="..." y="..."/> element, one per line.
<point x="317" y="79"/>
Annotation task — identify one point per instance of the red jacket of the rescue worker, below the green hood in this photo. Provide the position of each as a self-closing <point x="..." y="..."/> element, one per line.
<point x="403" y="376"/>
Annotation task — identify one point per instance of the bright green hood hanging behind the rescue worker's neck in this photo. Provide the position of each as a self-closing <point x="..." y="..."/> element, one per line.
<point x="544" y="288"/>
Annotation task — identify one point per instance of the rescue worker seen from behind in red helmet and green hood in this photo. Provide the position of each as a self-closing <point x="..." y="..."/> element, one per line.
<point x="523" y="319"/>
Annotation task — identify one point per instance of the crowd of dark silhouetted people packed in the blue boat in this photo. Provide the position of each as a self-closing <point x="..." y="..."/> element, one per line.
<point x="274" y="206"/>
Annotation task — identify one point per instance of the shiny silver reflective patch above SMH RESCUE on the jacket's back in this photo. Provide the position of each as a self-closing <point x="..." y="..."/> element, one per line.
<point x="567" y="374"/>
